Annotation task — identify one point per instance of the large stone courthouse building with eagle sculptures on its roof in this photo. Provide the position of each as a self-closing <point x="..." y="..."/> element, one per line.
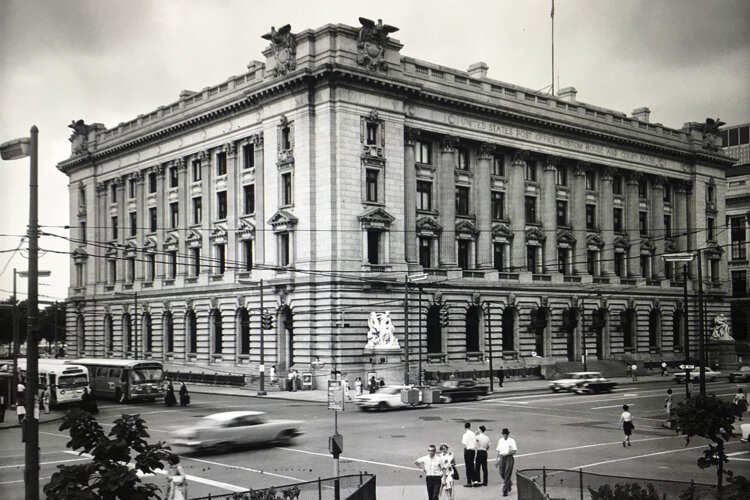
<point x="317" y="186"/>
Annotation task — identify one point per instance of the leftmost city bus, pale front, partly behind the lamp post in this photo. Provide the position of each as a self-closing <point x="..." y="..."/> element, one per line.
<point x="65" y="381"/>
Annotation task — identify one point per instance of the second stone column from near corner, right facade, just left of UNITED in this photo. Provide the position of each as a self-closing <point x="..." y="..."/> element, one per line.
<point x="447" y="200"/>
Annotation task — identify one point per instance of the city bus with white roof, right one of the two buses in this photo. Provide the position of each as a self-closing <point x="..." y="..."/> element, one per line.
<point x="124" y="379"/>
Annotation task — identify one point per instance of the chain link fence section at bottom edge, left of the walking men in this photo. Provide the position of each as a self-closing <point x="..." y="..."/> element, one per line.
<point x="352" y="487"/>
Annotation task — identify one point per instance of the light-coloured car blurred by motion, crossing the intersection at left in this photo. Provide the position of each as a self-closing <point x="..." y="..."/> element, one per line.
<point x="236" y="429"/>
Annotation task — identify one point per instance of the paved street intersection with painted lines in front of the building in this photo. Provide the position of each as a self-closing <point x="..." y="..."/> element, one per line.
<point x="552" y="430"/>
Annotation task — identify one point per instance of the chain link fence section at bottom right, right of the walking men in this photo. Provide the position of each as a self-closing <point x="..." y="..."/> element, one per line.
<point x="562" y="484"/>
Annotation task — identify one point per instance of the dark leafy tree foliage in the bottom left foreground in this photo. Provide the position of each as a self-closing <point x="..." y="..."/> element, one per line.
<point x="116" y="460"/>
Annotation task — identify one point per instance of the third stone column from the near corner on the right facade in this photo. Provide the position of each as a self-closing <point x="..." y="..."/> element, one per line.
<point x="482" y="188"/>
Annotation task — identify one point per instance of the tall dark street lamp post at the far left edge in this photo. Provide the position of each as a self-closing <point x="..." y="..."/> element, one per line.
<point x="12" y="150"/>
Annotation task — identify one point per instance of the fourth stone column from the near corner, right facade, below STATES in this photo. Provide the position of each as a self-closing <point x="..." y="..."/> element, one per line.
<point x="517" y="209"/>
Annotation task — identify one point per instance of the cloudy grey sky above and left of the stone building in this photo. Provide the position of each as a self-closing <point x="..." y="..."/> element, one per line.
<point x="108" y="61"/>
